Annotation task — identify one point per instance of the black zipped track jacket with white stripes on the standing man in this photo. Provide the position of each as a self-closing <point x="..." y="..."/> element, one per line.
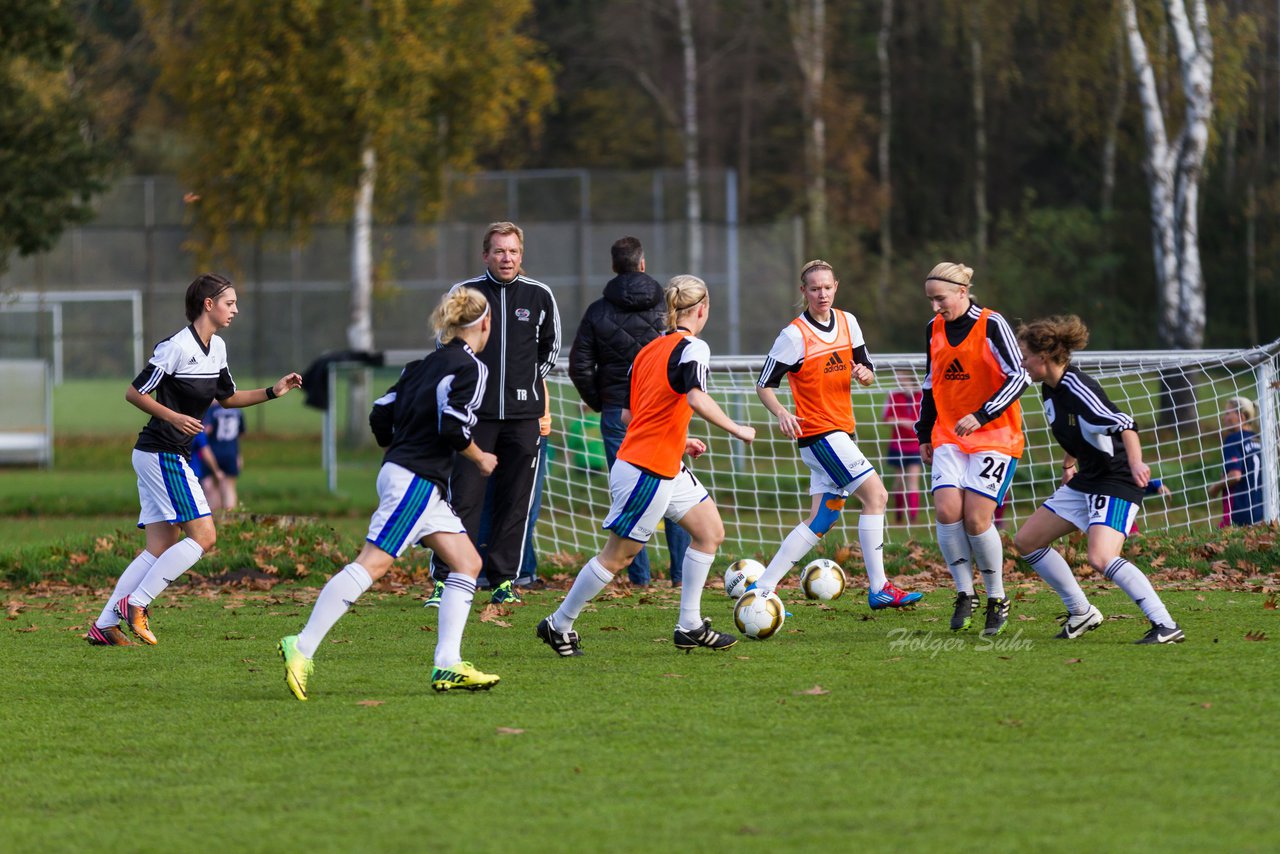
<point x="524" y="342"/>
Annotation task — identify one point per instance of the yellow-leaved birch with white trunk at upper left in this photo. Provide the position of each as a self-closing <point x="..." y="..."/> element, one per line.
<point x="305" y="112"/>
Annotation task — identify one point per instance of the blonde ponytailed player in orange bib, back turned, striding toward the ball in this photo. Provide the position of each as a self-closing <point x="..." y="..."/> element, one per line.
<point x="650" y="482"/>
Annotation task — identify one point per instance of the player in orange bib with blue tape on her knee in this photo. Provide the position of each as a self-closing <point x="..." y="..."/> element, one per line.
<point x="822" y="353"/>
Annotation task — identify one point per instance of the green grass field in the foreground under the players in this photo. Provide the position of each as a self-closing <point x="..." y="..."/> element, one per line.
<point x="849" y="732"/>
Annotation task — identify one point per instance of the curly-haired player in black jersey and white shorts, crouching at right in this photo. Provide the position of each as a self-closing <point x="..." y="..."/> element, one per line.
<point x="1103" y="482"/>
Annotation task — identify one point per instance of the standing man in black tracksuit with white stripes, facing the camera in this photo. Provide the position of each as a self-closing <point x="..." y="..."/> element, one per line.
<point x="523" y="349"/>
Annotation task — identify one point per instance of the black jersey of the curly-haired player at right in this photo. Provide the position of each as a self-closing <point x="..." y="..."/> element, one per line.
<point x="1089" y="427"/>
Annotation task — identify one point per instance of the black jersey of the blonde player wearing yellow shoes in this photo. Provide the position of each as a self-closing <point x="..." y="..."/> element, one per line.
<point x="427" y="417"/>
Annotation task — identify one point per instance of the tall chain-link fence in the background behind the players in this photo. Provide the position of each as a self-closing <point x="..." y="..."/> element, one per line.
<point x="295" y="300"/>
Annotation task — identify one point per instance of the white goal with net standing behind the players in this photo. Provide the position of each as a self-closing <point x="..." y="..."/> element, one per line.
<point x="762" y="490"/>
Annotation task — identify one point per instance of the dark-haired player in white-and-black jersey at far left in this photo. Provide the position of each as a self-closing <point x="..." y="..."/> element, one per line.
<point x="188" y="372"/>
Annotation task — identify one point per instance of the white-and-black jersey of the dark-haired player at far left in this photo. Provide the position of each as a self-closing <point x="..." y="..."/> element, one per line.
<point x="186" y="377"/>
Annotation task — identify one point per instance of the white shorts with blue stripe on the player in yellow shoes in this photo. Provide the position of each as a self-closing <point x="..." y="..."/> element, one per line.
<point x="409" y="509"/>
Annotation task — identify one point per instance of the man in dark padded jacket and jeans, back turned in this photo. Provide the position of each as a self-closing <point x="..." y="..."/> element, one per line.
<point x="615" y="328"/>
